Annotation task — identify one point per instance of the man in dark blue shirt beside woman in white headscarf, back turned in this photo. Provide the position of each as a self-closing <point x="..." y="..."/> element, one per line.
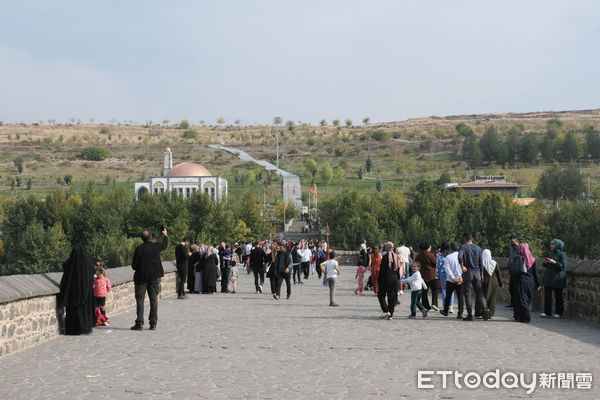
<point x="469" y="257"/>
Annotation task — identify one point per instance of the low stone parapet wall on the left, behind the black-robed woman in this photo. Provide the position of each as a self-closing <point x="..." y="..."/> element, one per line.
<point x="30" y="314"/>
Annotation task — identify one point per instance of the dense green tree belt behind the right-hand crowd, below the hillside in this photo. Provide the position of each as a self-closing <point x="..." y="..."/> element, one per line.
<point x="434" y="217"/>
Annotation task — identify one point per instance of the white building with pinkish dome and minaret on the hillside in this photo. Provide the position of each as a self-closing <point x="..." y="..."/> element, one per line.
<point x="185" y="179"/>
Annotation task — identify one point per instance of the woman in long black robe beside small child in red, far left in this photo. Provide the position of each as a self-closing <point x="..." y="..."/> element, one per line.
<point x="76" y="292"/>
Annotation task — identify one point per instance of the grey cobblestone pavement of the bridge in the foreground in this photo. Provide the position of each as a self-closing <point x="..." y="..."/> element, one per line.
<point x="247" y="345"/>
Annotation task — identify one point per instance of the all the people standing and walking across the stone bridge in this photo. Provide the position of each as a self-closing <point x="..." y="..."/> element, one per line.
<point x="467" y="276"/>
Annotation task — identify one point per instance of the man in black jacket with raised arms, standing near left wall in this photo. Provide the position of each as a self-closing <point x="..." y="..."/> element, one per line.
<point x="148" y="271"/>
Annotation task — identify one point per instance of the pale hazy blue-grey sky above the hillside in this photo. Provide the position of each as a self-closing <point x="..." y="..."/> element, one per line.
<point x="301" y="60"/>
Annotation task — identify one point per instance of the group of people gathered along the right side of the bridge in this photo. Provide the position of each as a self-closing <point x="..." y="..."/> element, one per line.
<point x="464" y="271"/>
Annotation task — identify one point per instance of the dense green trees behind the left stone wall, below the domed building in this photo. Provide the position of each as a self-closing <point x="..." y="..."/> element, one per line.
<point x="37" y="236"/>
